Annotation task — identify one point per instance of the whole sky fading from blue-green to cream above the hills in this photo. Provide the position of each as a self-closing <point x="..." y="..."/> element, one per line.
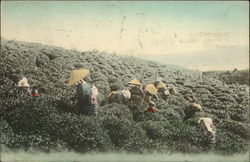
<point x="138" y="28"/>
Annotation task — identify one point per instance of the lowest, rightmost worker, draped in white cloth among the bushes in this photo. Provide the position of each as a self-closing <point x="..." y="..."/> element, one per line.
<point x="207" y="125"/>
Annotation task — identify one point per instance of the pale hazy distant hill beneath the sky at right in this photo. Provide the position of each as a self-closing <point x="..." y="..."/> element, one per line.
<point x="221" y="58"/>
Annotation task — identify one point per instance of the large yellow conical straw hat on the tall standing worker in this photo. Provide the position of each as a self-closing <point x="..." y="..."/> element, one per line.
<point x="77" y="75"/>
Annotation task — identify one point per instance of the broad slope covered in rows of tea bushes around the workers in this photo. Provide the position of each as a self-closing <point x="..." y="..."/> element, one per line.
<point x="51" y="123"/>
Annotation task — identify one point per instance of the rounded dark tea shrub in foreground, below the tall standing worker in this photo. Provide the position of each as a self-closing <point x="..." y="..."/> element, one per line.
<point x="82" y="133"/>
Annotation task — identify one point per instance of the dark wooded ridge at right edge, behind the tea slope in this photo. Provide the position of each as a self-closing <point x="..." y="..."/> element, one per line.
<point x="230" y="77"/>
